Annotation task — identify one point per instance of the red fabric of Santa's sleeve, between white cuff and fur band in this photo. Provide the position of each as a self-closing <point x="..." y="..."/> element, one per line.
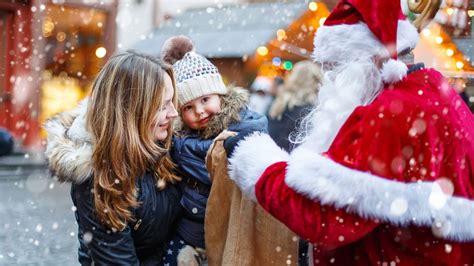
<point x="324" y="226"/>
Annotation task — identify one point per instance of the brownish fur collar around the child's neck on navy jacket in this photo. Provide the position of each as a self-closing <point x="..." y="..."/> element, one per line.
<point x="231" y="105"/>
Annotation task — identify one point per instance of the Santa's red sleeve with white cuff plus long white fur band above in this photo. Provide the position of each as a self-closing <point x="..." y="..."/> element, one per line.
<point x="330" y="204"/>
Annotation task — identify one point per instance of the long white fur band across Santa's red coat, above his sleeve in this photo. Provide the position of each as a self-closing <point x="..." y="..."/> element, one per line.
<point x="421" y="203"/>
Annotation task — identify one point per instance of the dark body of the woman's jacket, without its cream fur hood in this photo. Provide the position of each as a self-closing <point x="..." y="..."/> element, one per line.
<point x="142" y="241"/>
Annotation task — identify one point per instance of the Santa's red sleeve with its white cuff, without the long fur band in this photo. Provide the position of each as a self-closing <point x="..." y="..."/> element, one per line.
<point x="258" y="166"/>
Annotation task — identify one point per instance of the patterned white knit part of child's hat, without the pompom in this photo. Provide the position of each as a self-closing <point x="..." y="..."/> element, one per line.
<point x="195" y="77"/>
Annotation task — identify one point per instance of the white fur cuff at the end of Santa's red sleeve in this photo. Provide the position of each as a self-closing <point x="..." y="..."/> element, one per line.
<point x="250" y="159"/>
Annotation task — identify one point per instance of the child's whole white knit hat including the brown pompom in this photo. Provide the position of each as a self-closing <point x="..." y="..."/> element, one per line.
<point x="195" y="75"/>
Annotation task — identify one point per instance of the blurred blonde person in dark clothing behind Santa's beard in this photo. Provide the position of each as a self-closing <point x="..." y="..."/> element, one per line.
<point x="294" y="101"/>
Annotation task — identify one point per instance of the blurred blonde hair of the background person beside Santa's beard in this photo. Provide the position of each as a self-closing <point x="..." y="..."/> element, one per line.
<point x="301" y="88"/>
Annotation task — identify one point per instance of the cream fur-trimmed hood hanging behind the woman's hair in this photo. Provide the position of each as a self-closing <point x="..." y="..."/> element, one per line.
<point x="69" y="148"/>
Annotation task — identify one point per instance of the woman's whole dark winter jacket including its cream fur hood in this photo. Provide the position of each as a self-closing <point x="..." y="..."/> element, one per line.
<point x="142" y="242"/>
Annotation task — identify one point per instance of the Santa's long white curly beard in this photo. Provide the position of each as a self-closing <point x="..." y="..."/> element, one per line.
<point x="343" y="89"/>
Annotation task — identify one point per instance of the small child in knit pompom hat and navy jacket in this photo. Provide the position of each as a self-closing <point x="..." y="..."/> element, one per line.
<point x="206" y="108"/>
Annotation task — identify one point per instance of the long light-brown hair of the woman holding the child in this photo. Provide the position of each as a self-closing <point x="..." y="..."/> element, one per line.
<point x="125" y="97"/>
